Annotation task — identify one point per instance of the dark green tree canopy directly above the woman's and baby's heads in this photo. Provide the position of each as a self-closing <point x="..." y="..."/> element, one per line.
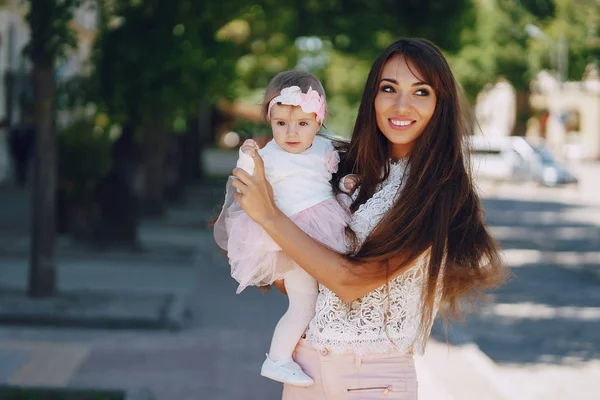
<point x="360" y="28"/>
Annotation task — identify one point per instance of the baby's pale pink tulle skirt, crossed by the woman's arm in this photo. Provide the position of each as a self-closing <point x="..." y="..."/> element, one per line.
<point x="256" y="260"/>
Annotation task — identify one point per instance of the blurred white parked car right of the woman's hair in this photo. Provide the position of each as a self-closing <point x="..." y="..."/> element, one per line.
<point x="515" y="158"/>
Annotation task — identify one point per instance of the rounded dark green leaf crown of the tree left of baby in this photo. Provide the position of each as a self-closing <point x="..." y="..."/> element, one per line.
<point x="165" y="57"/>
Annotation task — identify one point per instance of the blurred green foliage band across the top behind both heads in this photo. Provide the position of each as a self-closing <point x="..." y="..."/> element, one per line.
<point x="203" y="50"/>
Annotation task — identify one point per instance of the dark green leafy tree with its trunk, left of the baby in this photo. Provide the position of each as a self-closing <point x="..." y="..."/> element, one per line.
<point x="155" y="67"/>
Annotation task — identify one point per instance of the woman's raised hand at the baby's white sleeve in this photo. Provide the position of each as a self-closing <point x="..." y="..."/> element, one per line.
<point x="254" y="193"/>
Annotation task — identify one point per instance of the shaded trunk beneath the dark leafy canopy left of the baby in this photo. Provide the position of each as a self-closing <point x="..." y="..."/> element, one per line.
<point x="154" y="144"/>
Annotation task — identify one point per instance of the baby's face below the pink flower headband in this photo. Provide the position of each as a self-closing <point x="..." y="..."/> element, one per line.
<point x="293" y="129"/>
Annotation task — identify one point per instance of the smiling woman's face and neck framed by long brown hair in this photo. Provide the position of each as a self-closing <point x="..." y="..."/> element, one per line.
<point x="404" y="104"/>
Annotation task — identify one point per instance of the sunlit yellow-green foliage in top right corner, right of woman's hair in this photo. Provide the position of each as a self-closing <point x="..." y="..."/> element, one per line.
<point x="497" y="43"/>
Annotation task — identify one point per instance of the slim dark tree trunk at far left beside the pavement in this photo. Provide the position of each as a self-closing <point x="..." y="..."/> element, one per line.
<point x="42" y="272"/>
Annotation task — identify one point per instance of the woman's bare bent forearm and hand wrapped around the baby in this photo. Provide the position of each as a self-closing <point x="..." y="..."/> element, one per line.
<point x="325" y="265"/>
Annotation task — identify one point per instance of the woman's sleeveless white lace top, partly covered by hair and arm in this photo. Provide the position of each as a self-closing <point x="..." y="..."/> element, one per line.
<point x="359" y="326"/>
